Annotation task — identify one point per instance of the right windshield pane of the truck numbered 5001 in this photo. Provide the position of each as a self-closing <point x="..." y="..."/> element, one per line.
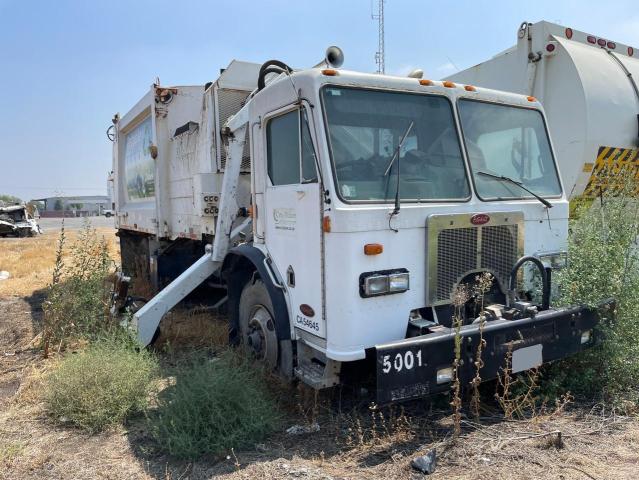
<point x="508" y="141"/>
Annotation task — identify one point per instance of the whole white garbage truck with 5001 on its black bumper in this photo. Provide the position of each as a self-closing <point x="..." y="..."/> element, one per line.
<point x="341" y="214"/>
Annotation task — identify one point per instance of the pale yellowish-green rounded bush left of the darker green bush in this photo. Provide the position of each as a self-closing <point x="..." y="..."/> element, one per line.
<point x="101" y="386"/>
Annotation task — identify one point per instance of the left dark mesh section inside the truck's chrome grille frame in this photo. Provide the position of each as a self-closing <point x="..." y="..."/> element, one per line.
<point x="456" y="253"/>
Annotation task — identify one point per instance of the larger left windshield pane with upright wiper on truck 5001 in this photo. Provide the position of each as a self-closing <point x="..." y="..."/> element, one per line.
<point x="365" y="128"/>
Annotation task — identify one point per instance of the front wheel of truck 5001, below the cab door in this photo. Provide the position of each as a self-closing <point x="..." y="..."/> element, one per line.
<point x="257" y="324"/>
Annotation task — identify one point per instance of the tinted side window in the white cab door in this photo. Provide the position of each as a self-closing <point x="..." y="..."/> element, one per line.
<point x="290" y="153"/>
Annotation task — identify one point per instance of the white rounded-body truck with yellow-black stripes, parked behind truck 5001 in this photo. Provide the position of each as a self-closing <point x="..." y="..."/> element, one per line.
<point x="588" y="87"/>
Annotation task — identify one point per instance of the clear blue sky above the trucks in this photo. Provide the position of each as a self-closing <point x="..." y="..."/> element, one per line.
<point x="67" y="66"/>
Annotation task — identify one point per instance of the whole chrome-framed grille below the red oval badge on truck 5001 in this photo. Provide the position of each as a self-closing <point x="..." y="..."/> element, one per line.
<point x="457" y="248"/>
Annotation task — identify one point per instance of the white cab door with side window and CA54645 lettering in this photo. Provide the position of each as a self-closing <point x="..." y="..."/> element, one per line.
<point x="293" y="220"/>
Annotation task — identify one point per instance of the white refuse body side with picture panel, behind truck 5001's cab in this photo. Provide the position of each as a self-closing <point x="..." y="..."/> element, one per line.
<point x="175" y="194"/>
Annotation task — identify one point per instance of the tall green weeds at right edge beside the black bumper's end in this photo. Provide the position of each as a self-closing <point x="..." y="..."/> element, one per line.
<point x="604" y="262"/>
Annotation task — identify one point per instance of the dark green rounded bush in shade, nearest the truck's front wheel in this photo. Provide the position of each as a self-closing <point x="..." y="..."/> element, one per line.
<point x="213" y="406"/>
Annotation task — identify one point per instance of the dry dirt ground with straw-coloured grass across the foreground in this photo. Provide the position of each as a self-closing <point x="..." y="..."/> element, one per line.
<point x="353" y="442"/>
